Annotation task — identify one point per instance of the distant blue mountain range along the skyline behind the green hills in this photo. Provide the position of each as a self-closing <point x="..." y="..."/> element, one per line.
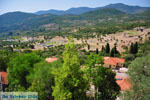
<point x="81" y="10"/>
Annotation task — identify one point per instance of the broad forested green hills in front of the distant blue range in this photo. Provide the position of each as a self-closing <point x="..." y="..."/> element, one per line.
<point x="19" y="22"/>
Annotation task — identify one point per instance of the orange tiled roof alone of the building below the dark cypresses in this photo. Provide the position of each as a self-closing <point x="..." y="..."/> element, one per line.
<point x="113" y="60"/>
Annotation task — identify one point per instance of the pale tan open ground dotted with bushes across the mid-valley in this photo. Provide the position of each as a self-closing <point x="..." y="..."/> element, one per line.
<point x="122" y="39"/>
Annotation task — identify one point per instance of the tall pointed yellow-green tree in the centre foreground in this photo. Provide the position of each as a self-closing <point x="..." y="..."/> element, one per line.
<point x="69" y="81"/>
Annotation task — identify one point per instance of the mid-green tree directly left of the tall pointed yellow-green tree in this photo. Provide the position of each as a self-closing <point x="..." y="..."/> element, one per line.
<point x="42" y="80"/>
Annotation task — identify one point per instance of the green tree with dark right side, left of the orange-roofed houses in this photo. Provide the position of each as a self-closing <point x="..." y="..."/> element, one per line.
<point x="102" y="78"/>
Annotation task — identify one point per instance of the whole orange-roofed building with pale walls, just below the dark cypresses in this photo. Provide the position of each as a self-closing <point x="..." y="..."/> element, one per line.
<point x="113" y="62"/>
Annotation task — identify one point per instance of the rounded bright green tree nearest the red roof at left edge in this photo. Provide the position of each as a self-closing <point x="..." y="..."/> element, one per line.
<point x="19" y="68"/>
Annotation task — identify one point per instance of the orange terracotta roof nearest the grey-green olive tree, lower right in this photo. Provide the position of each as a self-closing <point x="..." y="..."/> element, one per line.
<point x="123" y="82"/>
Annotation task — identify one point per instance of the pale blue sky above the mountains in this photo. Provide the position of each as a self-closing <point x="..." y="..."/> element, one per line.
<point x="36" y="5"/>
